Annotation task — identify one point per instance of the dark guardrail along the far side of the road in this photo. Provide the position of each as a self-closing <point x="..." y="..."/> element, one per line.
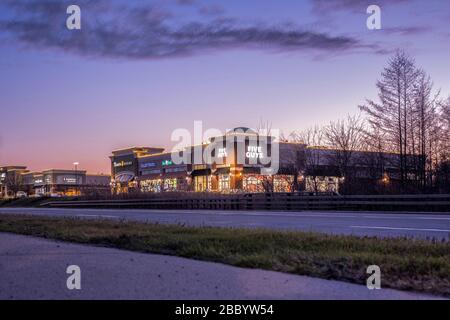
<point x="276" y="201"/>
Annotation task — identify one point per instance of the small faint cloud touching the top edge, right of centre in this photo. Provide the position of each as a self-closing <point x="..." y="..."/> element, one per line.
<point x="325" y="6"/>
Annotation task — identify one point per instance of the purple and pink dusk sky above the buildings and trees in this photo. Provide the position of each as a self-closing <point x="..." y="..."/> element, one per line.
<point x="140" y="69"/>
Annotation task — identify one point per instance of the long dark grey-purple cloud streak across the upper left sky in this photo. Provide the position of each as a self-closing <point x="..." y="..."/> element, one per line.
<point x="148" y="32"/>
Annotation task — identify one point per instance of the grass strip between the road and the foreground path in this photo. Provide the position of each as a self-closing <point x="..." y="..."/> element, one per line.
<point x="405" y="264"/>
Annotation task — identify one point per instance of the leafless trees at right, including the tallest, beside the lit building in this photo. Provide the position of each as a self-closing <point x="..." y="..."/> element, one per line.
<point x="404" y="133"/>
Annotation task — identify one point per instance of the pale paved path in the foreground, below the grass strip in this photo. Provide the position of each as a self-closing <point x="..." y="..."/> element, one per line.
<point x="32" y="268"/>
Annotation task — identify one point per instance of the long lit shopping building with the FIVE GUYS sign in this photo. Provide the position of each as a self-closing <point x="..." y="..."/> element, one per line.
<point x="300" y="167"/>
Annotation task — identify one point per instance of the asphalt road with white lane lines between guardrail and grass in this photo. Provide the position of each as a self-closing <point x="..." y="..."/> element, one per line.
<point x="356" y="223"/>
